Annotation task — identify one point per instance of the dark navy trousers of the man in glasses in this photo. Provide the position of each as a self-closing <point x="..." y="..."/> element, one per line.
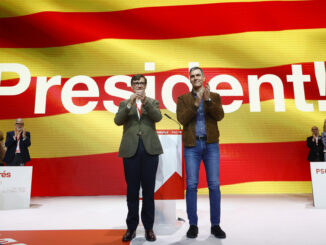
<point x="140" y="170"/>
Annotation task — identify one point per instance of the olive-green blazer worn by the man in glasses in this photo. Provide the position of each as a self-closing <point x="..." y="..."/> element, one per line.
<point x="132" y="125"/>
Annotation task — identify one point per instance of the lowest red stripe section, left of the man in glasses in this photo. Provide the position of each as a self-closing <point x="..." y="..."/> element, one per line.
<point x="100" y="174"/>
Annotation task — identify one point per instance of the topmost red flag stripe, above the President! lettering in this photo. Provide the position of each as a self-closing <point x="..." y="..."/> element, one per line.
<point x="50" y="29"/>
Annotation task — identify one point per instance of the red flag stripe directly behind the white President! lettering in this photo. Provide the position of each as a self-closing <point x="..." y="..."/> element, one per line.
<point x="54" y="105"/>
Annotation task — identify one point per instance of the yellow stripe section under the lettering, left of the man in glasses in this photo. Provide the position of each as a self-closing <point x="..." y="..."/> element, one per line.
<point x="70" y="134"/>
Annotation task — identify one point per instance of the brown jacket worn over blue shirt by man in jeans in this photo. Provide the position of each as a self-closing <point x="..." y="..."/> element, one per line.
<point x="186" y="115"/>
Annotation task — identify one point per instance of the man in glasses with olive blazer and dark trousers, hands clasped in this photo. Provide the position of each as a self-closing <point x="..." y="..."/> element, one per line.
<point x="139" y="148"/>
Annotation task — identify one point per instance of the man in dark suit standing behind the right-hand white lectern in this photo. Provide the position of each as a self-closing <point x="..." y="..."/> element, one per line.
<point x="316" y="146"/>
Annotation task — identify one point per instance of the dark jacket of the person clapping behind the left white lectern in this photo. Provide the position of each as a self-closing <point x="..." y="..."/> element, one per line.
<point x="11" y="145"/>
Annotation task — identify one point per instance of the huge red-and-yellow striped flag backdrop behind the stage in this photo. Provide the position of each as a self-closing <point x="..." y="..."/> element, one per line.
<point x="262" y="150"/>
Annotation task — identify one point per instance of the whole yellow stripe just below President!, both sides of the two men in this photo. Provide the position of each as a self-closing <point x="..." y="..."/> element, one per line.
<point x="95" y="132"/>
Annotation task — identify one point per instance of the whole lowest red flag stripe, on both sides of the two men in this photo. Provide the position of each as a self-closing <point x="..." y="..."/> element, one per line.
<point x="103" y="174"/>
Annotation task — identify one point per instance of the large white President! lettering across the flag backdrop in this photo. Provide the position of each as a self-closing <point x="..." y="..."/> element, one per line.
<point x="254" y="83"/>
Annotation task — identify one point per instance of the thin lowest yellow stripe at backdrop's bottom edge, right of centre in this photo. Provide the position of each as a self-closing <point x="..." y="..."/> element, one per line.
<point x="265" y="187"/>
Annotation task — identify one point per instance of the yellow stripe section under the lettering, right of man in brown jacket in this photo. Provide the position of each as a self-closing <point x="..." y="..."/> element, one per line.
<point x="269" y="126"/>
